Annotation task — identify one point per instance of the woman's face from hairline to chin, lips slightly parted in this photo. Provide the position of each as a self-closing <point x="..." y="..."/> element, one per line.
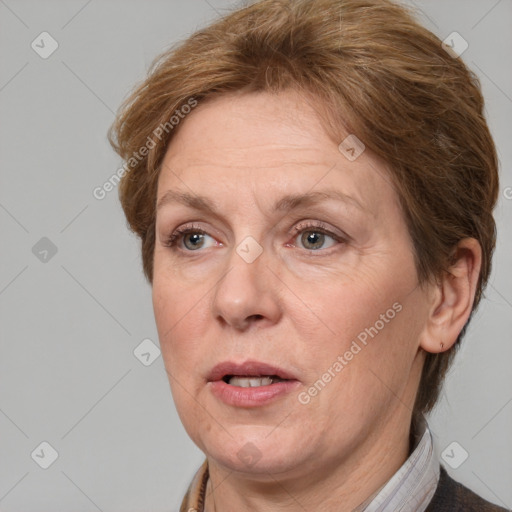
<point x="279" y="254"/>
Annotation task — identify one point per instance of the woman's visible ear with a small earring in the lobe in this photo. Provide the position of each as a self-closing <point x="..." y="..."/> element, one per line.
<point x="452" y="298"/>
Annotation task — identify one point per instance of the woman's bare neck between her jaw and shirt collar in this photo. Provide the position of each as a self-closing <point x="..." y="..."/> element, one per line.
<point x="333" y="485"/>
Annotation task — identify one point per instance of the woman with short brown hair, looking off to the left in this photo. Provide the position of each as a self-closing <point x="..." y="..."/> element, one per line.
<point x="313" y="185"/>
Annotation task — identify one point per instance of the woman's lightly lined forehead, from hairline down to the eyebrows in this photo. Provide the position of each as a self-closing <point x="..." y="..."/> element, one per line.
<point x="261" y="143"/>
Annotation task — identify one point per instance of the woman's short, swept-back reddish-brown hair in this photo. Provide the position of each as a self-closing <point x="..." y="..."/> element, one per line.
<point x="376" y="73"/>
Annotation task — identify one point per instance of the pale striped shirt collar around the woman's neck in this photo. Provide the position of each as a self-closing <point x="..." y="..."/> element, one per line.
<point x="410" y="489"/>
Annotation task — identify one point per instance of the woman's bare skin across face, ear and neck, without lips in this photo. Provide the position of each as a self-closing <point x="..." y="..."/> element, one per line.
<point x="295" y="306"/>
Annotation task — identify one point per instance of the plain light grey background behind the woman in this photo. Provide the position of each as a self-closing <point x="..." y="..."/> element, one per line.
<point x="69" y="325"/>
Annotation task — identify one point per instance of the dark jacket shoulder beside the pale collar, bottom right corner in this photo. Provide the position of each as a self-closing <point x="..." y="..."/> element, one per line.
<point x="451" y="496"/>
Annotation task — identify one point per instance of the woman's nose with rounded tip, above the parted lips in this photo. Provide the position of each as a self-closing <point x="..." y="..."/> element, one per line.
<point x="246" y="294"/>
